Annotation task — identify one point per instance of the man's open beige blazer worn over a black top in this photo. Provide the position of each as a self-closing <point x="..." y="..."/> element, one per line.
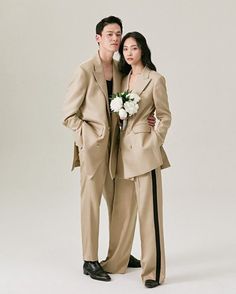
<point x="86" y="111"/>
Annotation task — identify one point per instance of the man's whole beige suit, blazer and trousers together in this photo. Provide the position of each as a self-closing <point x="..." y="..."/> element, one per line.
<point x="87" y="112"/>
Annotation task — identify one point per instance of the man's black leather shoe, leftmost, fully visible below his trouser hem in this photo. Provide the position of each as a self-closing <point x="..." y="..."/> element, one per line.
<point x="95" y="271"/>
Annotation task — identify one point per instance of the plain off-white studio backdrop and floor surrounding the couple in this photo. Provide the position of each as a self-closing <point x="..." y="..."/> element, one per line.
<point x="193" y="45"/>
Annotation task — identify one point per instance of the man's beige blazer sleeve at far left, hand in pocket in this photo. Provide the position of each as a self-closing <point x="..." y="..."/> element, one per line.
<point x="75" y="96"/>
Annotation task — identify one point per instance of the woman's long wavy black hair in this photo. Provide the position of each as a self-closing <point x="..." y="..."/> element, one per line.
<point x="124" y="67"/>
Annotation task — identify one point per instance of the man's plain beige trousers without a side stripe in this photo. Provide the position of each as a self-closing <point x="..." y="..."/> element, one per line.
<point x="91" y="190"/>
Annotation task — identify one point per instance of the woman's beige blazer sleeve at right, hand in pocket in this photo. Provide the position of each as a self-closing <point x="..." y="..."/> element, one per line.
<point x="162" y="108"/>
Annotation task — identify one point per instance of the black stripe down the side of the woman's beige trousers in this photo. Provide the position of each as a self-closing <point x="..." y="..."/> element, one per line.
<point x="156" y="225"/>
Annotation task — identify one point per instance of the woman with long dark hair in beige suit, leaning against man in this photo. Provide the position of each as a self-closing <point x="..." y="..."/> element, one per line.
<point x="140" y="159"/>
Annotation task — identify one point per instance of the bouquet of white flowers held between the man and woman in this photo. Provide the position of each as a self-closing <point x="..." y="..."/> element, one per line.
<point x="125" y="104"/>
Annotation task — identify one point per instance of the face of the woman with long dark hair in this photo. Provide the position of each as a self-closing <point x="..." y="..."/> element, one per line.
<point x="132" y="53"/>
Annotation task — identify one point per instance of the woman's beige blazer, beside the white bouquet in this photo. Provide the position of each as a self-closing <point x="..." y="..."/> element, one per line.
<point x="141" y="147"/>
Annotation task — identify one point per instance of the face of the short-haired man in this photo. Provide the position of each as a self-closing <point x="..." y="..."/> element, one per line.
<point x="110" y="37"/>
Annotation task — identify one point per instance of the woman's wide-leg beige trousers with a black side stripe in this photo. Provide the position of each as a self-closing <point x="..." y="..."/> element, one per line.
<point x="146" y="197"/>
